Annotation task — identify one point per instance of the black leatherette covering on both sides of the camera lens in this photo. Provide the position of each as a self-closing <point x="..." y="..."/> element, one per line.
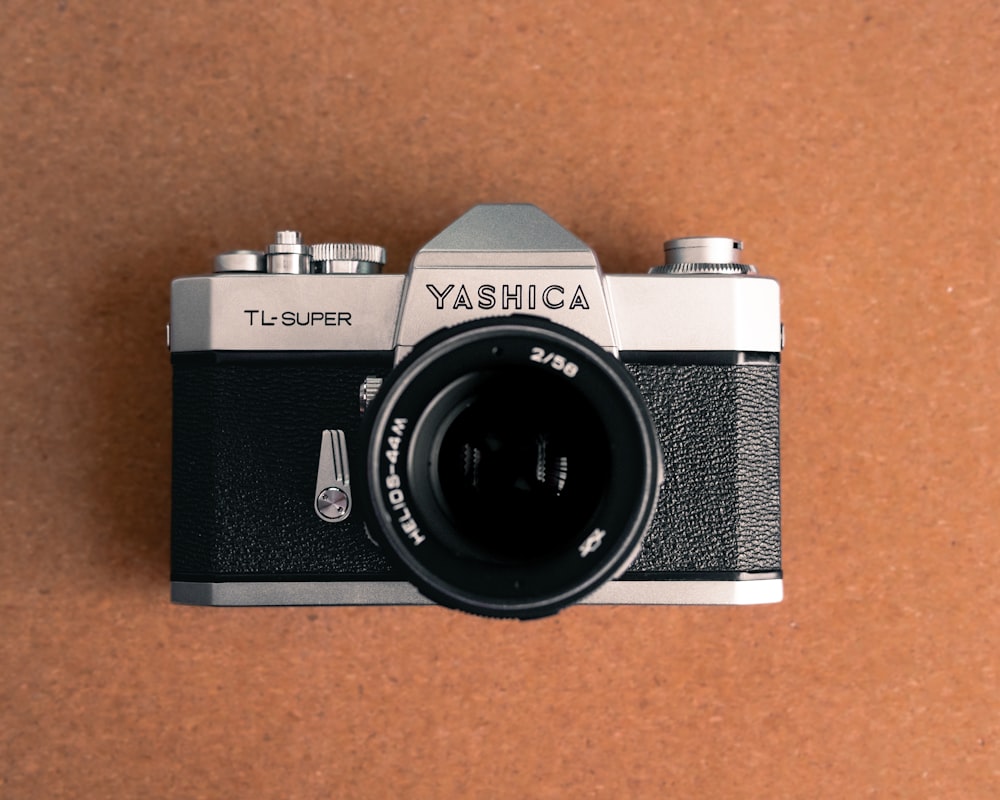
<point x="247" y="440"/>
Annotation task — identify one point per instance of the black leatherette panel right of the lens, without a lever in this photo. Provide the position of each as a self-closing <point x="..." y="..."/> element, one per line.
<point x="720" y="504"/>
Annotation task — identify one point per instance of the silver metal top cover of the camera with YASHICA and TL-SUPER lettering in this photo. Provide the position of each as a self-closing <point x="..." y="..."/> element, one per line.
<point x="491" y="252"/>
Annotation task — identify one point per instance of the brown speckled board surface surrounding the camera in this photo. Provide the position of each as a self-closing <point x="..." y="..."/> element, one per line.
<point x="855" y="148"/>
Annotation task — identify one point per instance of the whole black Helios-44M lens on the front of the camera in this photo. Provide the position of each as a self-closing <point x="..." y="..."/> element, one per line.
<point x="512" y="467"/>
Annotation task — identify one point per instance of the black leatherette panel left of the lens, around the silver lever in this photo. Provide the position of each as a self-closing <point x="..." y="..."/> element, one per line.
<point x="246" y="448"/>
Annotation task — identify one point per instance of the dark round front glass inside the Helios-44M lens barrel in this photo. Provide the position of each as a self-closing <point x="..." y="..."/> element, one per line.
<point x="518" y="466"/>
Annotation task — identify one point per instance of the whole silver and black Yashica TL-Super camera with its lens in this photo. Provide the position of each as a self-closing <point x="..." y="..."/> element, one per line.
<point x="505" y="429"/>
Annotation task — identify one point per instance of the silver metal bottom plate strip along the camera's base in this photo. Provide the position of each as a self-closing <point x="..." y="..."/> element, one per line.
<point x="372" y="593"/>
